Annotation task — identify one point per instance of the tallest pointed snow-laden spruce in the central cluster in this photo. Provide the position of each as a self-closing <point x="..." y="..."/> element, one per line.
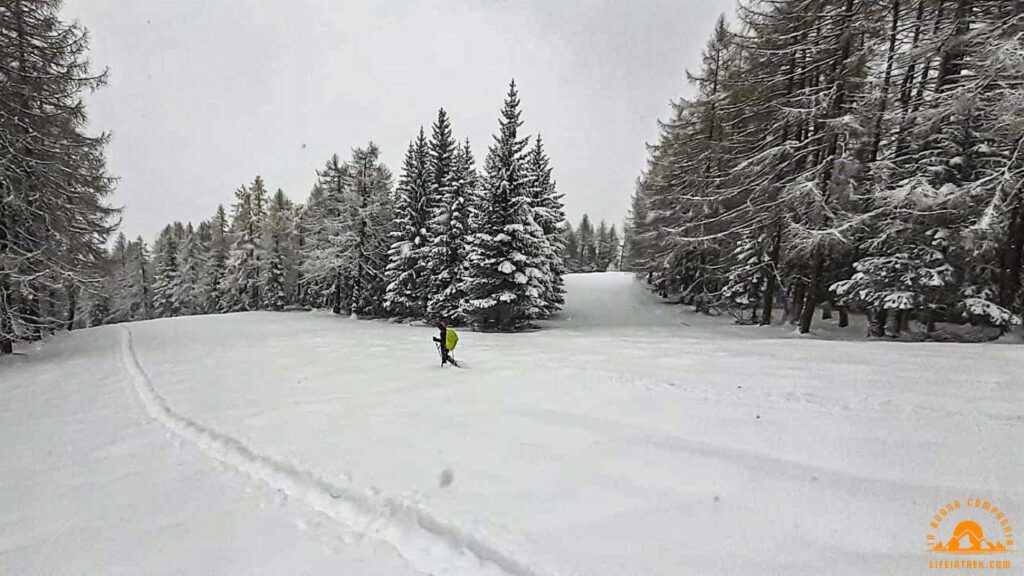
<point x="507" y="254"/>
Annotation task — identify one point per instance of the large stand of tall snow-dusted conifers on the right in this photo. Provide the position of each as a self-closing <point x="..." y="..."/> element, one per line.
<point x="858" y="155"/>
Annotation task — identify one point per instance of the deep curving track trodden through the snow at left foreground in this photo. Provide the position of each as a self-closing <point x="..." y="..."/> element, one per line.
<point x="428" y="544"/>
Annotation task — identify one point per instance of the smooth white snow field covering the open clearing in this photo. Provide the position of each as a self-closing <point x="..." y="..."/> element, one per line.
<point x="616" y="441"/>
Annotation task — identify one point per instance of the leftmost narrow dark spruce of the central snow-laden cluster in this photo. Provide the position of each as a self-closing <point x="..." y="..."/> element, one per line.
<point x="408" y="284"/>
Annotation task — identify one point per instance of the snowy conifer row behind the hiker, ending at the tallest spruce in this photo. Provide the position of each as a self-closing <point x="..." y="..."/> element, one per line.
<point x="449" y="242"/>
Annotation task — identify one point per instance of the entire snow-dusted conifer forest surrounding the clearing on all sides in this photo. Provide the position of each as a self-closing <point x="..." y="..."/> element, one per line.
<point x="839" y="155"/>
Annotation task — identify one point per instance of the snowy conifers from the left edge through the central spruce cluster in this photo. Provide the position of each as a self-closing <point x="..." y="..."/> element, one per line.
<point x="449" y="241"/>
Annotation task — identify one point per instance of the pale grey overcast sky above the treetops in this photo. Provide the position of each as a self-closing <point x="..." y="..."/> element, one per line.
<point x="205" y="95"/>
